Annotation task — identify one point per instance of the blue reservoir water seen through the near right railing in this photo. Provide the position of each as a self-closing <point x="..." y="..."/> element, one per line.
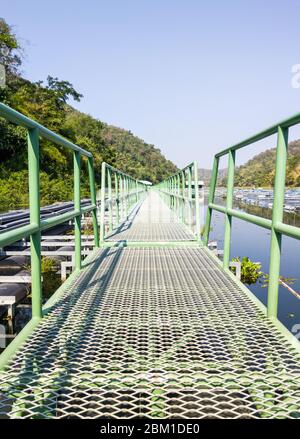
<point x="254" y="242"/>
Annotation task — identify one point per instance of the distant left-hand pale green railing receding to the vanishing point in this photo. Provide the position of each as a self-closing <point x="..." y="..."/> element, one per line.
<point x="119" y="193"/>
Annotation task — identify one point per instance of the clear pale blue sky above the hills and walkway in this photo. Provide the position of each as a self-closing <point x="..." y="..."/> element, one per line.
<point x="189" y="76"/>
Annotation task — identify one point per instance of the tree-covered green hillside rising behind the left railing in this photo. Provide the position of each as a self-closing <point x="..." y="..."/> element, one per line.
<point x="47" y="103"/>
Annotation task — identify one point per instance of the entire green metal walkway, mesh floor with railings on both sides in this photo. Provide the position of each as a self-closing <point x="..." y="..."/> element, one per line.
<point x="208" y="349"/>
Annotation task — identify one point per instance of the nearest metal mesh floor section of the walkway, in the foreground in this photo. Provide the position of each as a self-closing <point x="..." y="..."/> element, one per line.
<point x="158" y="333"/>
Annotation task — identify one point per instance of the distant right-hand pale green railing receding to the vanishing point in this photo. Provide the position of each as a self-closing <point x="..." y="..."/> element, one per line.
<point x="181" y="193"/>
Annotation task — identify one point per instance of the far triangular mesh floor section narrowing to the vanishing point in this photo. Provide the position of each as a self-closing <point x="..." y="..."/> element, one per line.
<point x="152" y="221"/>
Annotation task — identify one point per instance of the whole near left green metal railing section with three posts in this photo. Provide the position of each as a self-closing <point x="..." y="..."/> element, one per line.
<point x="36" y="225"/>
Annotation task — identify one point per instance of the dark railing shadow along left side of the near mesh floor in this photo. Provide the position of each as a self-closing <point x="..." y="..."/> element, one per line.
<point x="43" y="373"/>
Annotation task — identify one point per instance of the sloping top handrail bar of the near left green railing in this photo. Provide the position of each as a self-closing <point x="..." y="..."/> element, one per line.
<point x="19" y="119"/>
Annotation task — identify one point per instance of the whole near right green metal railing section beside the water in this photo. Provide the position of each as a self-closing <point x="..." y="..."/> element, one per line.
<point x="276" y="225"/>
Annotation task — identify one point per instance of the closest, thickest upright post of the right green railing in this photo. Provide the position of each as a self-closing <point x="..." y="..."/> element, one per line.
<point x="277" y="216"/>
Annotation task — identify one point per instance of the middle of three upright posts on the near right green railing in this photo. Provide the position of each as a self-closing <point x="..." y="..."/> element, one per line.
<point x="229" y="200"/>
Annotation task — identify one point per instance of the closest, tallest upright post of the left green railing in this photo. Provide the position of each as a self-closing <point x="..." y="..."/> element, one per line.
<point x="34" y="206"/>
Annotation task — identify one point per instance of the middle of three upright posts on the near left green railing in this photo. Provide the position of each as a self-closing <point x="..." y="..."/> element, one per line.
<point x="77" y="206"/>
